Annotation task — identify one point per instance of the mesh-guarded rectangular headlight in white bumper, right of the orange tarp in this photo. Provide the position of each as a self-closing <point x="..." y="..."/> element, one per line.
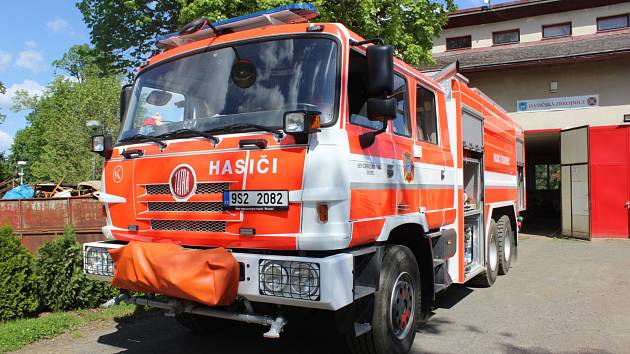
<point x="298" y="280"/>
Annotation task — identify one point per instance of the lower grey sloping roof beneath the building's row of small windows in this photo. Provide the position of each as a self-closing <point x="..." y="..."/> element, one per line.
<point x="571" y="49"/>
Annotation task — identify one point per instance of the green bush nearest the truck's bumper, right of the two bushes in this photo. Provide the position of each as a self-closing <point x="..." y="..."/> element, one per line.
<point x="62" y="284"/>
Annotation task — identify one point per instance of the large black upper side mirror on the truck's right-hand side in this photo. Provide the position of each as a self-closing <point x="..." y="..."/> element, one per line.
<point x="380" y="62"/>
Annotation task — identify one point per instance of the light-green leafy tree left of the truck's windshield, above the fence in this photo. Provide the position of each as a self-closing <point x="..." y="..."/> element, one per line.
<point x="56" y="141"/>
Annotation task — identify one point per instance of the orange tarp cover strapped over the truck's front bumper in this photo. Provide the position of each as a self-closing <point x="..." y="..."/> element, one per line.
<point x="206" y="276"/>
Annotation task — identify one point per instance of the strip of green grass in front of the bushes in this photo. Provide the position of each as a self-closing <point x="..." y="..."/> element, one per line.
<point x="18" y="333"/>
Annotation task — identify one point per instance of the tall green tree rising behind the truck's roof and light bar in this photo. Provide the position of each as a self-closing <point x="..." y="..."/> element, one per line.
<point x="125" y="30"/>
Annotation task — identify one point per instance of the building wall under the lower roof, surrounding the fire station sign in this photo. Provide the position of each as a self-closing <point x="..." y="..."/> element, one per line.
<point x="609" y="79"/>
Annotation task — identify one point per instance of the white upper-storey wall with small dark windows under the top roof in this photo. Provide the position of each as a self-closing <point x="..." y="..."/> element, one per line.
<point x="583" y="22"/>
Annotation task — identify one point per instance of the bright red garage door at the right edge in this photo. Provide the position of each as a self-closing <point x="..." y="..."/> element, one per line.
<point x="610" y="181"/>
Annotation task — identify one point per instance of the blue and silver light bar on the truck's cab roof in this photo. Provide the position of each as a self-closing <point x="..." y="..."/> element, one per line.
<point x="281" y="15"/>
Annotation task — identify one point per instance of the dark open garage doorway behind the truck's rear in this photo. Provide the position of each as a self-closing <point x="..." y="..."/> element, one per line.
<point x="543" y="183"/>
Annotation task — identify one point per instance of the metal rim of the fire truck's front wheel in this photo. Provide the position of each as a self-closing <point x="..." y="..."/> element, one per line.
<point x="402" y="306"/>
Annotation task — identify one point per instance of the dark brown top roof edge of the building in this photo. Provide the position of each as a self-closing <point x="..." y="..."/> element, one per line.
<point x="518" y="9"/>
